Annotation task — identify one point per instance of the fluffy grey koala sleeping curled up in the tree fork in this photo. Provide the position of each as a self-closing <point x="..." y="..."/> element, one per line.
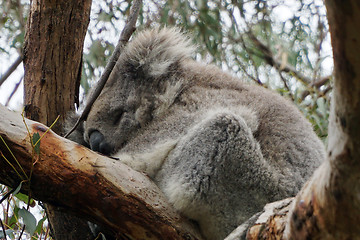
<point x="218" y="148"/>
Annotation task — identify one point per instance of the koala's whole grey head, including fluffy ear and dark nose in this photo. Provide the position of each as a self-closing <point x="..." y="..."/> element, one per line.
<point x="144" y="83"/>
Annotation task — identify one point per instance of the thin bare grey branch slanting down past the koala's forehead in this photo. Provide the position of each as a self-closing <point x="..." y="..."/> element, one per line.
<point x="124" y="38"/>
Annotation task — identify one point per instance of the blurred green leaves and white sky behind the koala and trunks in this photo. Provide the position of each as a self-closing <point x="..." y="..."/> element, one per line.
<point x="282" y="45"/>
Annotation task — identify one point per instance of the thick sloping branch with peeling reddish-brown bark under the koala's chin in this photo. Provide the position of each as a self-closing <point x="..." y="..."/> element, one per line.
<point x="84" y="182"/>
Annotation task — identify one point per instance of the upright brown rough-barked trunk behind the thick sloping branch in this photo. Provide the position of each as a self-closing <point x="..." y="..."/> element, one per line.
<point x="52" y="60"/>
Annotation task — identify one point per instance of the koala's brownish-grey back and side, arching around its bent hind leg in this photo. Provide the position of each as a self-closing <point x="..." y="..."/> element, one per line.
<point x="286" y="138"/>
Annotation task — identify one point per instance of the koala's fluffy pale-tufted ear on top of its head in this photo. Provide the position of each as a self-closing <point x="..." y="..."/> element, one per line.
<point x="152" y="52"/>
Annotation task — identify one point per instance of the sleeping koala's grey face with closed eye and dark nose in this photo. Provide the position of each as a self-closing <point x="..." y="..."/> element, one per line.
<point x="120" y="111"/>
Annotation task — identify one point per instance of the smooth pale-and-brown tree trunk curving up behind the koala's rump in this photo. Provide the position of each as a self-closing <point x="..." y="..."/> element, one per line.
<point x="328" y="207"/>
